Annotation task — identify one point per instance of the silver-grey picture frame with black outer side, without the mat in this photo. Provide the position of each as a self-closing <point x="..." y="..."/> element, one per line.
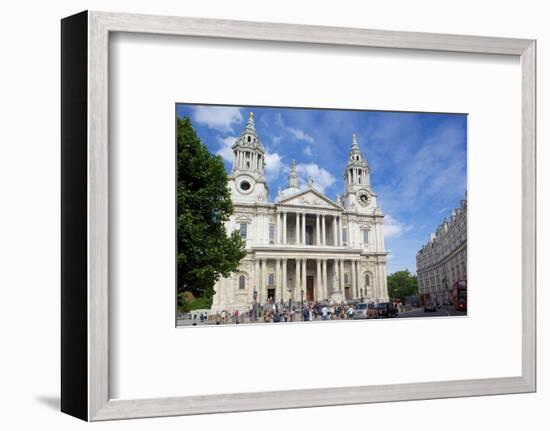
<point x="85" y="215"/>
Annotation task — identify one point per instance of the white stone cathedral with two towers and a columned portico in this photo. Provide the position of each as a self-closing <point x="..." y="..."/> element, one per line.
<point x="303" y="246"/>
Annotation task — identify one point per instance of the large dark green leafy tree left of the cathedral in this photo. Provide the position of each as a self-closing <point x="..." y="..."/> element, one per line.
<point x="205" y="252"/>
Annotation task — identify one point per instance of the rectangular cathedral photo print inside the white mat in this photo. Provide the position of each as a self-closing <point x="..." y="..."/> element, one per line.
<point x="302" y="215"/>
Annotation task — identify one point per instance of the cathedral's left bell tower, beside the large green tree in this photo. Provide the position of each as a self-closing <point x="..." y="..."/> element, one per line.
<point x="247" y="181"/>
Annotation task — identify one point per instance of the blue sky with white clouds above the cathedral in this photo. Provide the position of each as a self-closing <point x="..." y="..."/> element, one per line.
<point x="417" y="160"/>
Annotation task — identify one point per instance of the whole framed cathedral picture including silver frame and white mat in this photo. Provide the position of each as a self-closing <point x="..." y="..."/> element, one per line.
<point x="268" y="216"/>
